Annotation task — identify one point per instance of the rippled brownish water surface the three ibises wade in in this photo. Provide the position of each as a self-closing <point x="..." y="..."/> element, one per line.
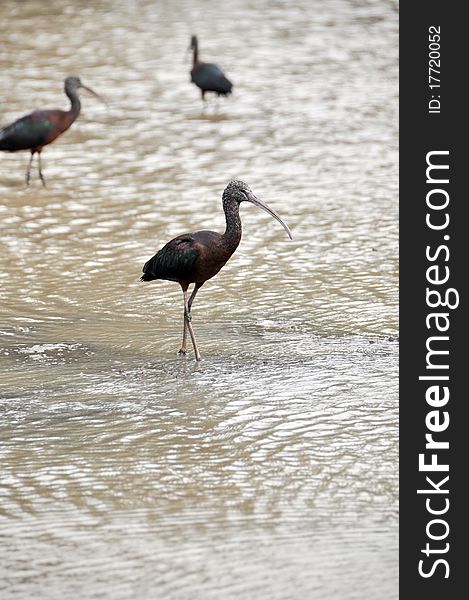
<point x="269" y="470"/>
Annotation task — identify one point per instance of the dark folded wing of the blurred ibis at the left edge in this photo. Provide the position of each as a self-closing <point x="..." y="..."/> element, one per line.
<point x="30" y="131"/>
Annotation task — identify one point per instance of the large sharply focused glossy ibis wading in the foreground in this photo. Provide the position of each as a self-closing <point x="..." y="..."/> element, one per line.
<point x="197" y="257"/>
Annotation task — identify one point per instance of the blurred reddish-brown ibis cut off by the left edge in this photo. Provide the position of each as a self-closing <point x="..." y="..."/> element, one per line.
<point x="41" y="127"/>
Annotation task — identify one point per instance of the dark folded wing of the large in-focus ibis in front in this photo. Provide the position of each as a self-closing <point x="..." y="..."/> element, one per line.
<point x="174" y="262"/>
